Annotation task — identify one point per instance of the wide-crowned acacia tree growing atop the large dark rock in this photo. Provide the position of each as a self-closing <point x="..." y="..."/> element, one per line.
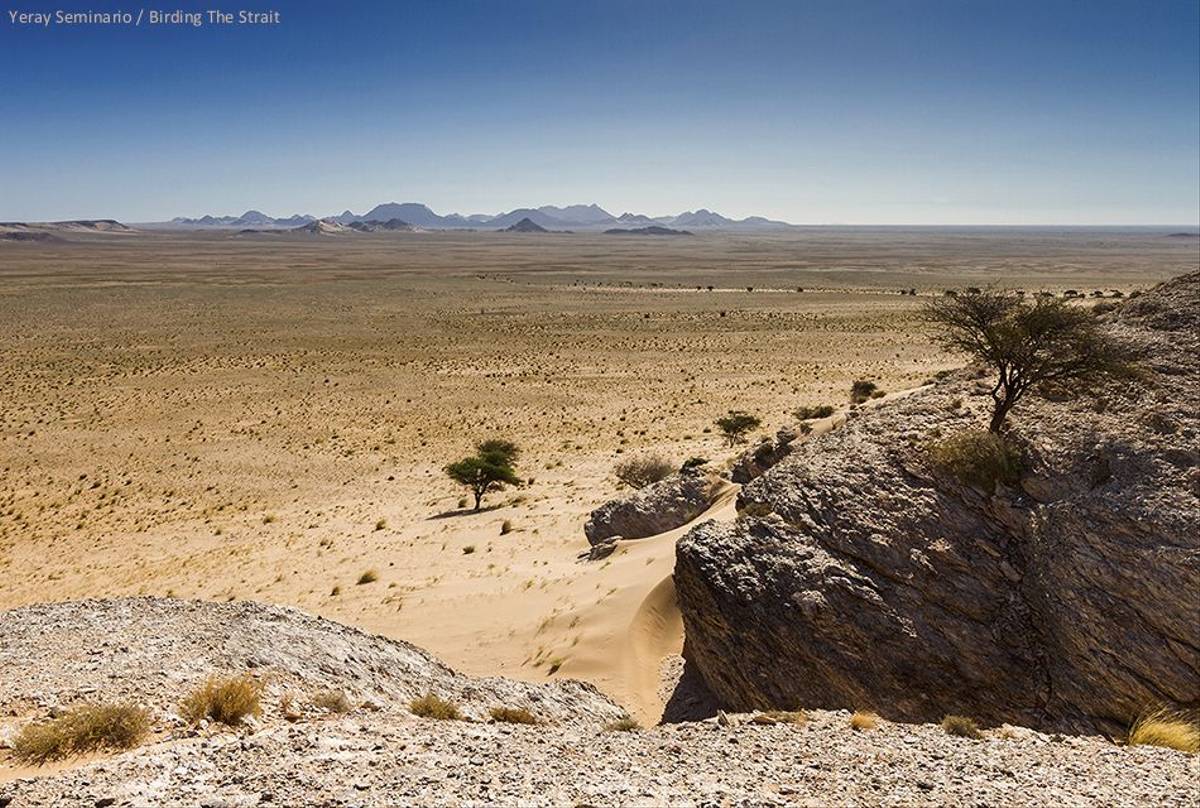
<point x="1043" y="344"/>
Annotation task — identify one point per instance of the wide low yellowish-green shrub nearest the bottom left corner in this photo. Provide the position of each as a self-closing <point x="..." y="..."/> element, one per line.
<point x="87" y="728"/>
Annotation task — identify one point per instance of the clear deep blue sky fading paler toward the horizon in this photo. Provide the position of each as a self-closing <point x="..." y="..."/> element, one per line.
<point x="893" y="112"/>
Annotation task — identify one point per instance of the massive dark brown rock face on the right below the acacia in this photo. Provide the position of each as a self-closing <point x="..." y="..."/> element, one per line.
<point x="1071" y="602"/>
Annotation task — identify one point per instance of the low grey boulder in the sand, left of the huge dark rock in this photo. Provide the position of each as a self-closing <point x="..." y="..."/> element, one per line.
<point x="658" y="508"/>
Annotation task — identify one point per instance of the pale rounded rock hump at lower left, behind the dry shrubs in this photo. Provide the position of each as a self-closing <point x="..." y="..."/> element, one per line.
<point x="153" y="651"/>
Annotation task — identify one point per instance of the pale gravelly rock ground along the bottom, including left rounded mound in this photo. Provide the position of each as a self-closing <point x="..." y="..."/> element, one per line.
<point x="381" y="755"/>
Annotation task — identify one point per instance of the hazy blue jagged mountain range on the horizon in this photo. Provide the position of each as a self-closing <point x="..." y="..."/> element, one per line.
<point x="416" y="216"/>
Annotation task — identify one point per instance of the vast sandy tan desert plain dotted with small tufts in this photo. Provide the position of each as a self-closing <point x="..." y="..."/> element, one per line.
<point x="267" y="417"/>
